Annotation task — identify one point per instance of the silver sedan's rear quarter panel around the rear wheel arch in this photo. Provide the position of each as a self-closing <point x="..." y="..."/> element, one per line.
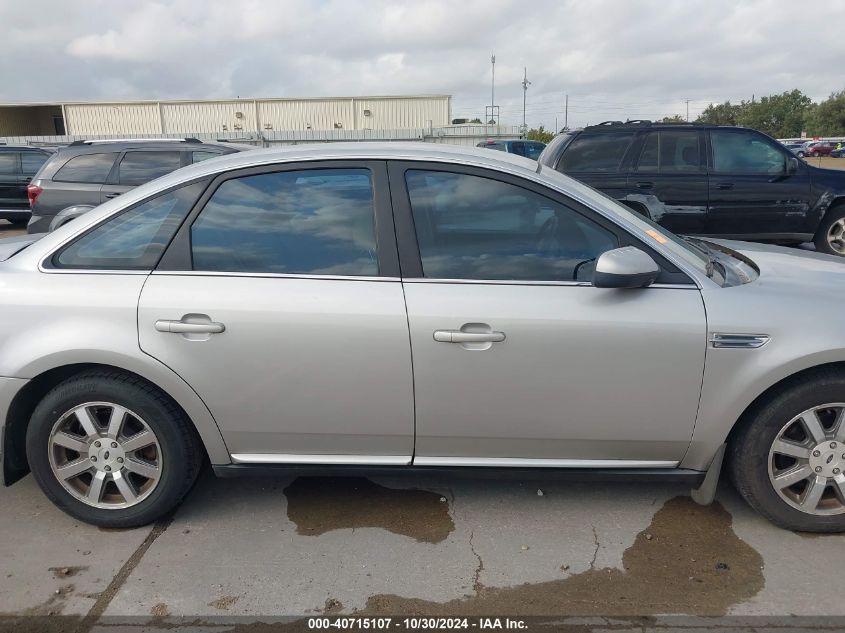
<point x="38" y="333"/>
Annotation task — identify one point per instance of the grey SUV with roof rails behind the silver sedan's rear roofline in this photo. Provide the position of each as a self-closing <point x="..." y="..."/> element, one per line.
<point x="87" y="173"/>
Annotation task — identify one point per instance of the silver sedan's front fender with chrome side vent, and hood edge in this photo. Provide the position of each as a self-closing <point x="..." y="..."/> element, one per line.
<point x="735" y="378"/>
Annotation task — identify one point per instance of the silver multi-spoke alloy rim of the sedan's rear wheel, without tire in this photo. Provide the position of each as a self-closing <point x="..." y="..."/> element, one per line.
<point x="105" y="455"/>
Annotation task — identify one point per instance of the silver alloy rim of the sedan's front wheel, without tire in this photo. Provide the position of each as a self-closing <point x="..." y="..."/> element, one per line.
<point x="807" y="460"/>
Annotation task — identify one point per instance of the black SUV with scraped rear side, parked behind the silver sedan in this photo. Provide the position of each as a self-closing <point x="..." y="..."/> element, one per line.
<point x="717" y="181"/>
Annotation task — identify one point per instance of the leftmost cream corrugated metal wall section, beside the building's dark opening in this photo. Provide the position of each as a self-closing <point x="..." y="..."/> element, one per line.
<point x="112" y="118"/>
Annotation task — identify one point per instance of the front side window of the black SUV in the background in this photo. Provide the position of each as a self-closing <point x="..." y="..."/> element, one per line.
<point x="744" y="152"/>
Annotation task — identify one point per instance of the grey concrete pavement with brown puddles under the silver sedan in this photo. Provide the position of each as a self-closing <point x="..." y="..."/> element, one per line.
<point x="312" y="545"/>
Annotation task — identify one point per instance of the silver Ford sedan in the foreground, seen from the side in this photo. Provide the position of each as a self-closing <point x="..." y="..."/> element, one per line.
<point x="506" y="316"/>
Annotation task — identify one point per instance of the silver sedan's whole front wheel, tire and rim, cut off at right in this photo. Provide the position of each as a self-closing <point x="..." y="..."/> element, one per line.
<point x="787" y="458"/>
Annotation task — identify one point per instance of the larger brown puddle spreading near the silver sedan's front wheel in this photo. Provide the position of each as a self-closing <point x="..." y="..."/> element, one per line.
<point x="688" y="561"/>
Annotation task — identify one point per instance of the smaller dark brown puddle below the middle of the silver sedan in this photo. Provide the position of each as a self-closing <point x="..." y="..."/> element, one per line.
<point x="320" y="504"/>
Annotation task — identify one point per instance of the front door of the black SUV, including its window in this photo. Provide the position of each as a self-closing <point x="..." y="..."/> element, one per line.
<point x="754" y="194"/>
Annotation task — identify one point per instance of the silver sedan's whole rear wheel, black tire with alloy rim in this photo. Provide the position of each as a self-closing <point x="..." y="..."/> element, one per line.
<point x="169" y="459"/>
